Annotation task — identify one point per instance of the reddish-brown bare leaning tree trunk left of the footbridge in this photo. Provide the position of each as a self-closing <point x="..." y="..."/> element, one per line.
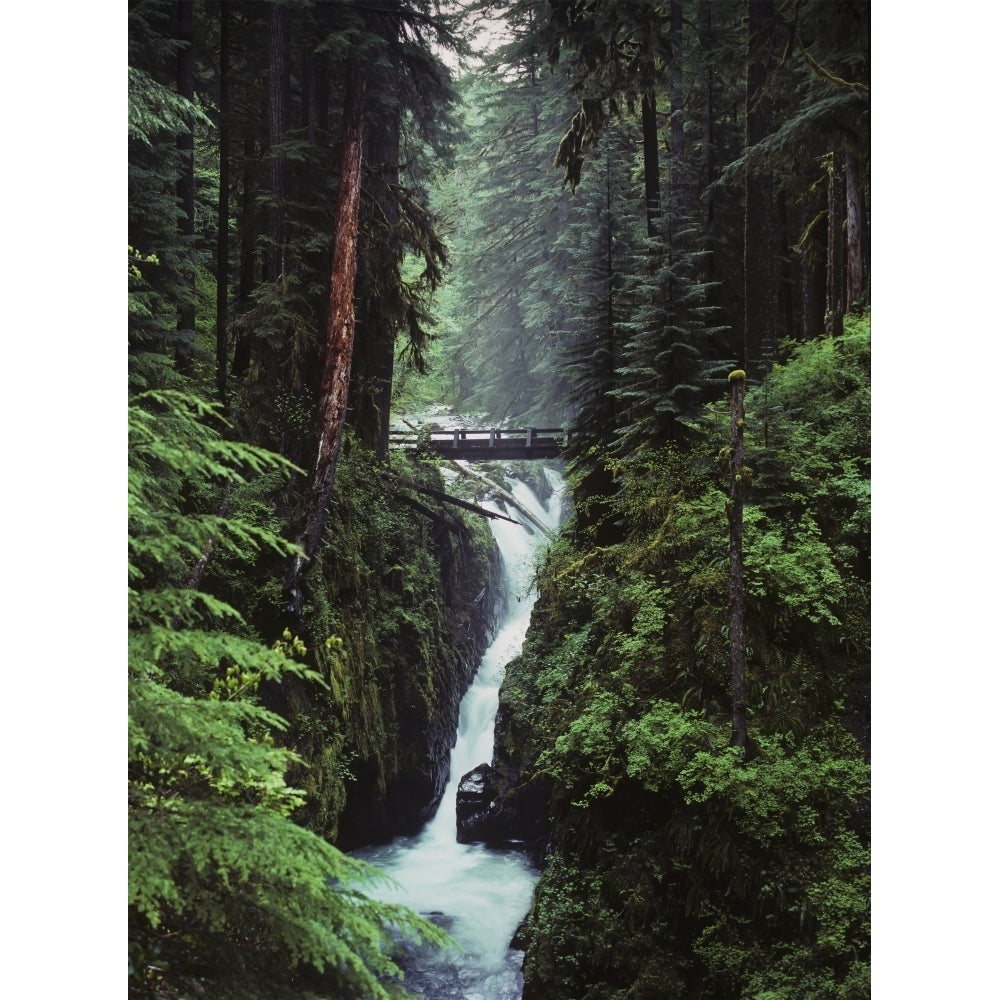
<point x="339" y="326"/>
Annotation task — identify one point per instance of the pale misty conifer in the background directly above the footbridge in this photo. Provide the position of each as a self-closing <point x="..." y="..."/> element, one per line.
<point x="509" y="267"/>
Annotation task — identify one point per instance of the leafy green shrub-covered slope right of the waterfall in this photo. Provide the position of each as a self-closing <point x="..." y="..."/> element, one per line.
<point x="731" y="872"/>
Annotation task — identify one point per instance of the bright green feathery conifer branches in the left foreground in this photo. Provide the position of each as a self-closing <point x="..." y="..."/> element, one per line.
<point x="226" y="894"/>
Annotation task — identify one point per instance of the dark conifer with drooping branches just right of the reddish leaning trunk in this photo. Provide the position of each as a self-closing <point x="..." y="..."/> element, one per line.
<point x="402" y="253"/>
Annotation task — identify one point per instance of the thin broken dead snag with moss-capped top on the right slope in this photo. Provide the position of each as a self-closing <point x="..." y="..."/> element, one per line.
<point x="737" y="647"/>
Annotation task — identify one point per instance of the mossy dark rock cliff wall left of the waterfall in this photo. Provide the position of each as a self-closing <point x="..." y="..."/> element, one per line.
<point x="400" y="608"/>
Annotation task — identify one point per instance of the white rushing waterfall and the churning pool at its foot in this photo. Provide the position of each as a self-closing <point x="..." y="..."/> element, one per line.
<point x="479" y="895"/>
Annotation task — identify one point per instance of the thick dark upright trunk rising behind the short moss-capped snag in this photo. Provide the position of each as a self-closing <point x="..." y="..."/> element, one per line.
<point x="758" y="239"/>
